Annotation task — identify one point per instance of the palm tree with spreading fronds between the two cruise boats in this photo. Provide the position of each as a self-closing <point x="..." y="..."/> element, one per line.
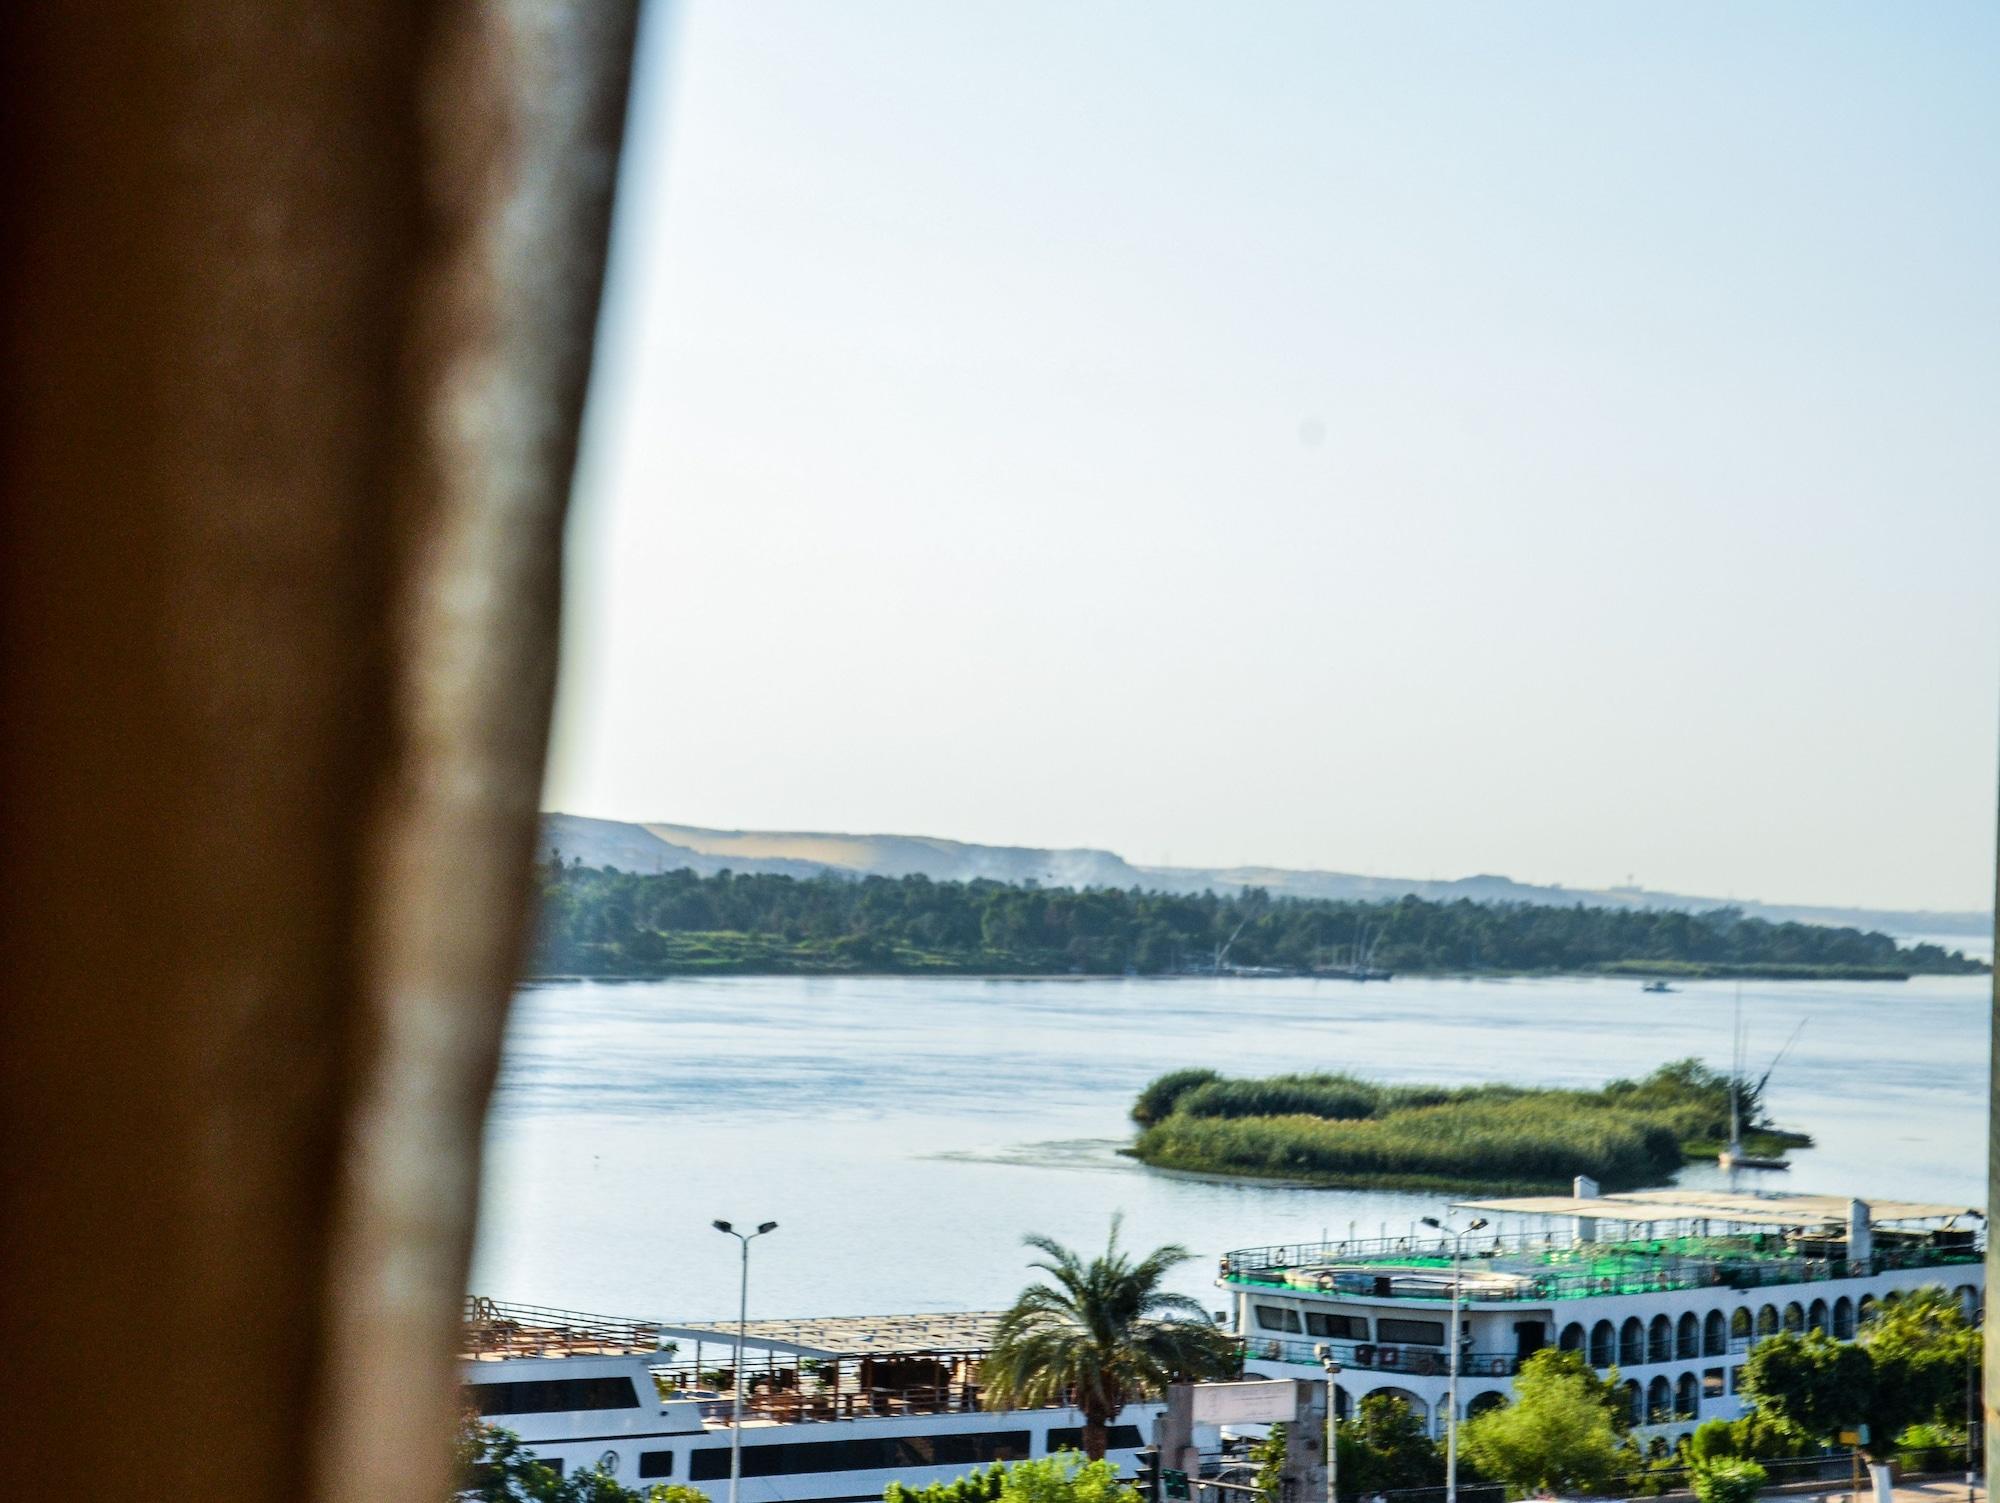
<point x="1105" y="1332"/>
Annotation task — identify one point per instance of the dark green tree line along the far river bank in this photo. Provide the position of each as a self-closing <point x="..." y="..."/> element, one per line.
<point x="605" y="922"/>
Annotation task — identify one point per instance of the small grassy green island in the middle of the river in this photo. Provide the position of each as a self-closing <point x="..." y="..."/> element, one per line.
<point x="1339" y="1130"/>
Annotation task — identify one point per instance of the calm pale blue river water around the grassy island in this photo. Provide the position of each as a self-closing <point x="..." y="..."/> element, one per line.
<point x="907" y="1134"/>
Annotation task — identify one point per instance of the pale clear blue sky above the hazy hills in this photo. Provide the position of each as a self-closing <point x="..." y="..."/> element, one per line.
<point x="1553" y="441"/>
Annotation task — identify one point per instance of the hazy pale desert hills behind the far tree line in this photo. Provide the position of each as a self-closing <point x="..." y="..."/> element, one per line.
<point x="803" y="854"/>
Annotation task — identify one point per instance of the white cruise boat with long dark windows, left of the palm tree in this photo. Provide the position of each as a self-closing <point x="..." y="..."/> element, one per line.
<point x="835" y="1410"/>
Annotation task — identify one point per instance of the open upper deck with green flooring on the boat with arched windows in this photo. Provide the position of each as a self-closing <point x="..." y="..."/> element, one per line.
<point x="1627" y="1244"/>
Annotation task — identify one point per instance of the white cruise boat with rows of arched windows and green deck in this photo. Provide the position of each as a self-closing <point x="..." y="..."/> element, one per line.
<point x="1671" y="1288"/>
